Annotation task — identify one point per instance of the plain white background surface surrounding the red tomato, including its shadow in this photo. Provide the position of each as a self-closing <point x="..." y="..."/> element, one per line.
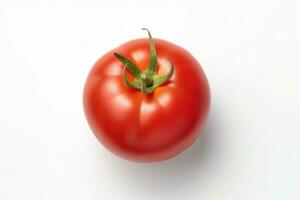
<point x="249" y="50"/>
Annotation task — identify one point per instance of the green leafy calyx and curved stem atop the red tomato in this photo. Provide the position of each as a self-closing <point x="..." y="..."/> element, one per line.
<point x="147" y="80"/>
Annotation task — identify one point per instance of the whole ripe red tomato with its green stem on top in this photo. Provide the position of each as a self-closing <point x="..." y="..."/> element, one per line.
<point x="146" y="102"/>
